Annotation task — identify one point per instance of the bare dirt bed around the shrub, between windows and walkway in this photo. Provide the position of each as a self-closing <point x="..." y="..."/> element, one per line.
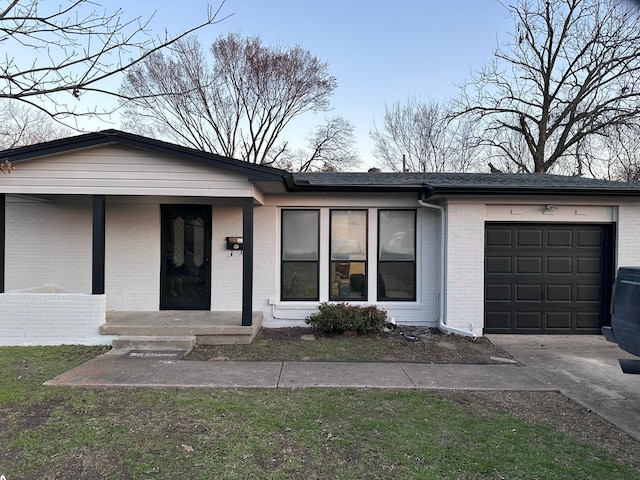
<point x="423" y="345"/>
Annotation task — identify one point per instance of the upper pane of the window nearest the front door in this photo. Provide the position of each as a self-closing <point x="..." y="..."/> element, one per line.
<point x="300" y="235"/>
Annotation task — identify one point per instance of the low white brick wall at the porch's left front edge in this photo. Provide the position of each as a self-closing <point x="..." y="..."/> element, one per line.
<point x="52" y="319"/>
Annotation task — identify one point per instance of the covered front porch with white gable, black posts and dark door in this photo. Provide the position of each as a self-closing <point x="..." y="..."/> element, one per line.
<point x="108" y="217"/>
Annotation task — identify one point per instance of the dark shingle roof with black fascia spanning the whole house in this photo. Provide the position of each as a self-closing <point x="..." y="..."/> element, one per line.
<point x="424" y="183"/>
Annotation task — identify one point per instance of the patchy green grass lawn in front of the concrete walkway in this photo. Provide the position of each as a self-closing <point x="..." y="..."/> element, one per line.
<point x="65" y="433"/>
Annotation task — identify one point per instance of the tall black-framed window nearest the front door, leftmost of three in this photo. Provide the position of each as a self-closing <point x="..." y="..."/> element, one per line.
<point x="300" y="255"/>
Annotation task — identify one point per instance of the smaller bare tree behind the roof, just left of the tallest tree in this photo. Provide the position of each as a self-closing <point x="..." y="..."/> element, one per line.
<point x="419" y="136"/>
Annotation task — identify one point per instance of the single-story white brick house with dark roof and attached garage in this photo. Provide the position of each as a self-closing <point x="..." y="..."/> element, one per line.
<point x="109" y="226"/>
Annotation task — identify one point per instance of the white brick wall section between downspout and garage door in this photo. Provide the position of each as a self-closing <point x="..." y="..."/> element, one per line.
<point x="465" y="268"/>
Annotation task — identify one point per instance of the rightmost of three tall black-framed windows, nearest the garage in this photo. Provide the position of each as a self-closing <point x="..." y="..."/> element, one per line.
<point x="397" y="255"/>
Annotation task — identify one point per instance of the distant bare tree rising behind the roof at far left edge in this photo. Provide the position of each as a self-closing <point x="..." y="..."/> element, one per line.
<point x="22" y="125"/>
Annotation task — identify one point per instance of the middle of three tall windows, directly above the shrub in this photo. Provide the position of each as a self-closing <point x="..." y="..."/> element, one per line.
<point x="348" y="255"/>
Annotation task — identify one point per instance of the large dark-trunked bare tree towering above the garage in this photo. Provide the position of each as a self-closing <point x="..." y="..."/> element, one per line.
<point x="568" y="73"/>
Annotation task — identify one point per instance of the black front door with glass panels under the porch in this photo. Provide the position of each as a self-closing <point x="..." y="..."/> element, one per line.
<point x="185" y="274"/>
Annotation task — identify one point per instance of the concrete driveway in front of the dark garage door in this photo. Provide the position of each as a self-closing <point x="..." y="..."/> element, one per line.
<point x="585" y="368"/>
